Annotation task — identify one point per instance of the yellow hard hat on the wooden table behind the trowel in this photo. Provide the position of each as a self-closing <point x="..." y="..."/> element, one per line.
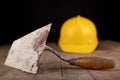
<point x="78" y="35"/>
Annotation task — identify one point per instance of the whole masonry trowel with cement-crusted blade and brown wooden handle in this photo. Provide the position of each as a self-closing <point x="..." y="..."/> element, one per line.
<point x="25" y="52"/>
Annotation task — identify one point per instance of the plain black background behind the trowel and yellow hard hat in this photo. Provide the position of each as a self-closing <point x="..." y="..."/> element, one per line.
<point x="23" y="16"/>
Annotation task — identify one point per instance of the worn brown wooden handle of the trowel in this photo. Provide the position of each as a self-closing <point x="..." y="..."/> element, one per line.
<point x="92" y="63"/>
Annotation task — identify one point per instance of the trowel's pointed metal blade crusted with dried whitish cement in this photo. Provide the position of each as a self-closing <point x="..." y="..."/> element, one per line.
<point x="25" y="51"/>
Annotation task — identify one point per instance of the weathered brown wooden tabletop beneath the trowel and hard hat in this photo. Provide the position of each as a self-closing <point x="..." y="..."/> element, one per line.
<point x="52" y="68"/>
